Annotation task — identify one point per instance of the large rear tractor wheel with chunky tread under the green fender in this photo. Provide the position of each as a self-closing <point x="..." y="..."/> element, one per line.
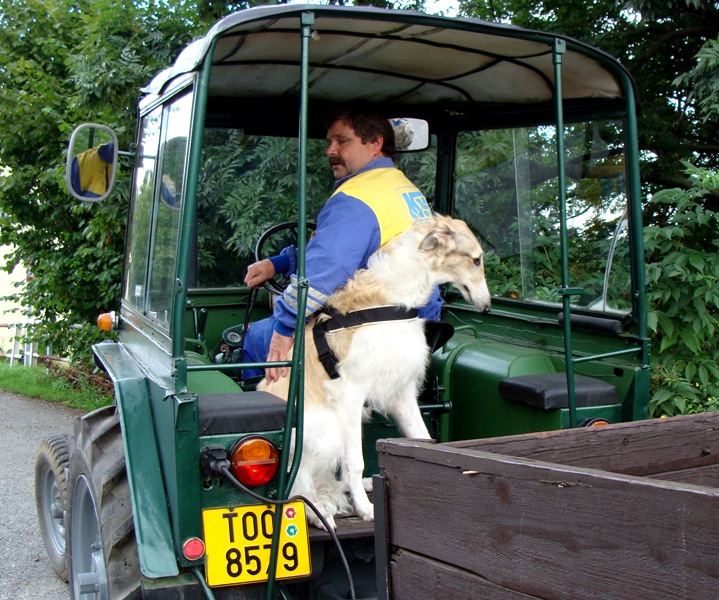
<point x="102" y="549"/>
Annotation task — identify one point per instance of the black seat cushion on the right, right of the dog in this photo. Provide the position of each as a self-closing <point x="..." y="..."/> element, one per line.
<point x="549" y="390"/>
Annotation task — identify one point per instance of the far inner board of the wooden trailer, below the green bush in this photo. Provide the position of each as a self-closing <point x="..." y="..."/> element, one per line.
<point x="639" y="448"/>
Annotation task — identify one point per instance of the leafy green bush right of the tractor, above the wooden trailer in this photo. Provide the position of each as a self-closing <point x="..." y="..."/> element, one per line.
<point x="683" y="272"/>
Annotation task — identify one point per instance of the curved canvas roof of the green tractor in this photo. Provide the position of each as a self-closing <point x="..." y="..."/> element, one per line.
<point x="393" y="57"/>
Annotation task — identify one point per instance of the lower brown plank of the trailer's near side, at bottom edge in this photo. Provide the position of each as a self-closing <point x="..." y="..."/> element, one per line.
<point x="417" y="577"/>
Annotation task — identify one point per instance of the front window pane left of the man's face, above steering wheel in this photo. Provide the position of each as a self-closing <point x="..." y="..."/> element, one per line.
<point x="248" y="183"/>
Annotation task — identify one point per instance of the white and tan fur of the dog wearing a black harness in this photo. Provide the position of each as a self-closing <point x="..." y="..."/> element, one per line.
<point x="381" y="365"/>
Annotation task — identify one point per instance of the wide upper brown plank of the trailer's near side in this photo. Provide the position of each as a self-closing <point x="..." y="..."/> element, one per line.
<point x="549" y="530"/>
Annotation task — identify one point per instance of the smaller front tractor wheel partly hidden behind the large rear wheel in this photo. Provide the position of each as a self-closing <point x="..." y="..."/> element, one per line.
<point x="51" y="464"/>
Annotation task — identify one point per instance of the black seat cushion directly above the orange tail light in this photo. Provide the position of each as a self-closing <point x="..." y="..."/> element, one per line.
<point x="240" y="412"/>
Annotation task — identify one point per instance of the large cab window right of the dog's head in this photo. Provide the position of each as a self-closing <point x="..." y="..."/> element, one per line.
<point x="506" y="188"/>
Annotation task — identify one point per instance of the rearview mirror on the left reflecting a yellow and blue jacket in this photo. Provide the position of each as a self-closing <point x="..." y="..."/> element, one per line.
<point x="91" y="162"/>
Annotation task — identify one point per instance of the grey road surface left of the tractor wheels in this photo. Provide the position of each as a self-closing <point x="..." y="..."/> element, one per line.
<point x="26" y="573"/>
